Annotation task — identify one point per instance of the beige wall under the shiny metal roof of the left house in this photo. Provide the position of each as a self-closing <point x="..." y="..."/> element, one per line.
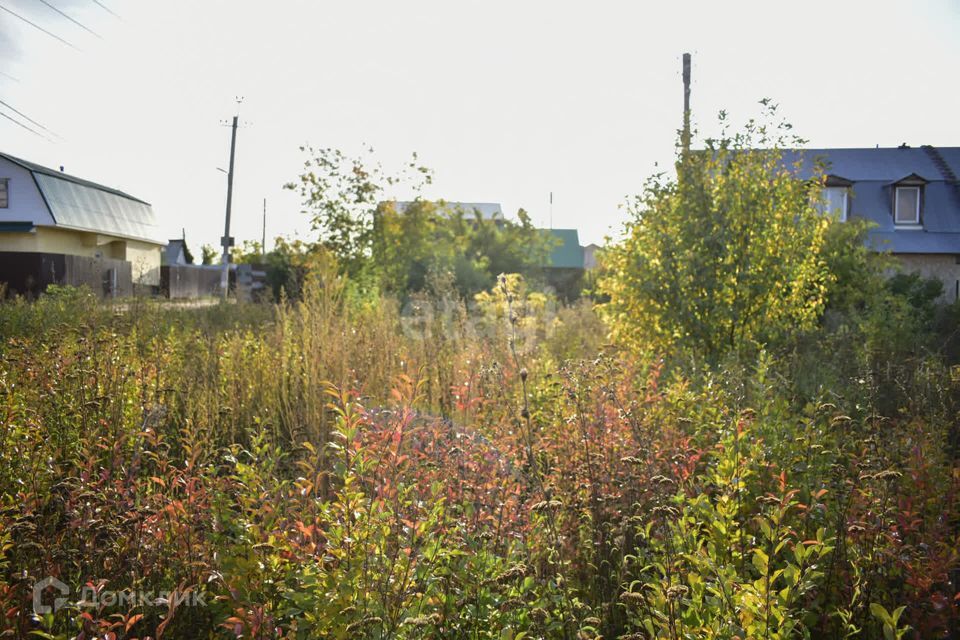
<point x="144" y="257"/>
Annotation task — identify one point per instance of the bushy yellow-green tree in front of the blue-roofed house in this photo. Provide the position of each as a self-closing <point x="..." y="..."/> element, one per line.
<point x="728" y="256"/>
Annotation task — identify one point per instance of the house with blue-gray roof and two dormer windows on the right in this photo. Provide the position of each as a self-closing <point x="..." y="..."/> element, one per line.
<point x="910" y="194"/>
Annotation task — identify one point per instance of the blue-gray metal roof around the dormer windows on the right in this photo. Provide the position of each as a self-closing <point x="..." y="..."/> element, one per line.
<point x="873" y="173"/>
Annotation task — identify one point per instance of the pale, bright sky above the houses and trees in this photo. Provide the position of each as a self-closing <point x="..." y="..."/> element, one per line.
<point x="505" y="101"/>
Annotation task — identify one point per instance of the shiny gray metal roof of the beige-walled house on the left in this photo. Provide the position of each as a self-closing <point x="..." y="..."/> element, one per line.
<point x="80" y="204"/>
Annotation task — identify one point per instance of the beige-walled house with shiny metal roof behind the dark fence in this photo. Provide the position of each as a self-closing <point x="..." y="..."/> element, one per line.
<point x="59" y="229"/>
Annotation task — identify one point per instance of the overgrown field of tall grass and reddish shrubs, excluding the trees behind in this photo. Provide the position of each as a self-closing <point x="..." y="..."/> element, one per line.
<point x="334" y="468"/>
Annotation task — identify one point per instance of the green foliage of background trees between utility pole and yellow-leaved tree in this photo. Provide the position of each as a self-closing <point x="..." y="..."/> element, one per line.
<point x="382" y="247"/>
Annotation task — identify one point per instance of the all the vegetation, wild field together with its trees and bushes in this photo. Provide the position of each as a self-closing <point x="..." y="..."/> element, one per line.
<point x="748" y="429"/>
